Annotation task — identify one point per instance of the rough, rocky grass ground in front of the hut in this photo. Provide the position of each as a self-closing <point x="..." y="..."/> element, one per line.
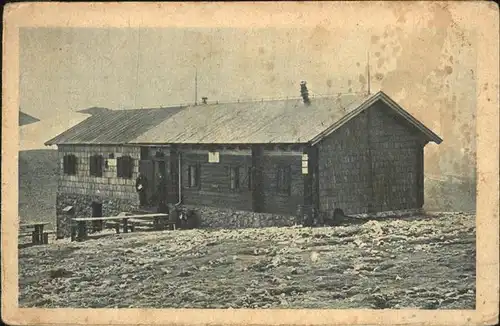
<point x="419" y="262"/>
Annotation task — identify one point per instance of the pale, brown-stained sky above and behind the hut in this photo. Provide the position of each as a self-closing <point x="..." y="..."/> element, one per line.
<point x="425" y="61"/>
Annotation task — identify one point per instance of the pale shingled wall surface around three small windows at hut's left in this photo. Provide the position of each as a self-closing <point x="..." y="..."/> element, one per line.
<point x="109" y="185"/>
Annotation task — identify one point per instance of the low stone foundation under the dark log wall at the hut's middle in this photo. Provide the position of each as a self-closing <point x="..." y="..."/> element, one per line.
<point x="212" y="217"/>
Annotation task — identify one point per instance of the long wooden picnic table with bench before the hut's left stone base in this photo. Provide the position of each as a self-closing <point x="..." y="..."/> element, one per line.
<point x="80" y="232"/>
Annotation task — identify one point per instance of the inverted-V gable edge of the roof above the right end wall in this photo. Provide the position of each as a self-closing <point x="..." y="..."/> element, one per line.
<point x="379" y="96"/>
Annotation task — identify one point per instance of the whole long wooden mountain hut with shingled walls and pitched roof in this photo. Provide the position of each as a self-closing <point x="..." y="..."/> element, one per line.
<point x="360" y="153"/>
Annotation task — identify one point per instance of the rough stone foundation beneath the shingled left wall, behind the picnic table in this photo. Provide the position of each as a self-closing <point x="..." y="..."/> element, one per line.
<point x="82" y="206"/>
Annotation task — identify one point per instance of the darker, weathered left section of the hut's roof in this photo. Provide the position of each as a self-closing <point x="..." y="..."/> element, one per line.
<point x="113" y="126"/>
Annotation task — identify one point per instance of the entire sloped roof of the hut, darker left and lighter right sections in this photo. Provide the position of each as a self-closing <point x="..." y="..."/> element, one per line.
<point x="276" y="121"/>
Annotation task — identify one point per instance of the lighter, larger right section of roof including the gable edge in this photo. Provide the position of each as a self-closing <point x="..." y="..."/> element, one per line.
<point x="280" y="121"/>
